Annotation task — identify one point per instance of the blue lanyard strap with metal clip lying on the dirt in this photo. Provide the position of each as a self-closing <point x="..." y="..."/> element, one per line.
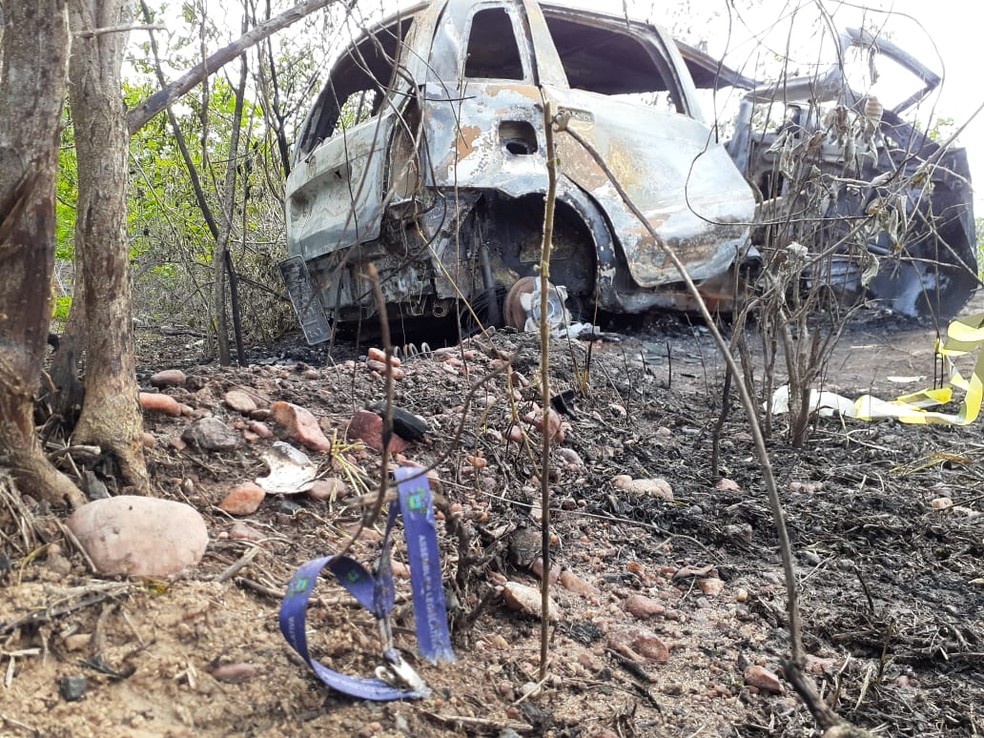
<point x="395" y="679"/>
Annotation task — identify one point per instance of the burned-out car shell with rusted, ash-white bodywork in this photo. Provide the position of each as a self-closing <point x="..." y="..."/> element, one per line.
<point x="425" y="154"/>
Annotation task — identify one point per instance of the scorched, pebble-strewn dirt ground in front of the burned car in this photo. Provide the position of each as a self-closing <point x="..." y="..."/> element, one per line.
<point x="891" y="584"/>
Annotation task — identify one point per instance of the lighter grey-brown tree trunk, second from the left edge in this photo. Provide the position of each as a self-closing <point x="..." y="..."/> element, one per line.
<point x="111" y="416"/>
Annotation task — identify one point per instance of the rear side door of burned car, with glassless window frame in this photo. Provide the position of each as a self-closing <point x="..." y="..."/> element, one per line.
<point x="629" y="95"/>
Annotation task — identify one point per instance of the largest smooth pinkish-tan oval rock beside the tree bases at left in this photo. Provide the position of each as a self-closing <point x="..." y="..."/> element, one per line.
<point x="140" y="536"/>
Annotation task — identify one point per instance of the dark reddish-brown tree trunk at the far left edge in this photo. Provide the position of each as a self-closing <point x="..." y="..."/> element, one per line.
<point x="32" y="89"/>
